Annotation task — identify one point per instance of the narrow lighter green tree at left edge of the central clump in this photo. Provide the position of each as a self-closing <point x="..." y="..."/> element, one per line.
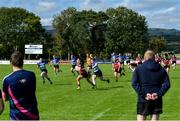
<point x="63" y="25"/>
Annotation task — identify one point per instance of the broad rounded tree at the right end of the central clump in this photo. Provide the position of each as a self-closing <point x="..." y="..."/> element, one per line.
<point x="126" y="31"/>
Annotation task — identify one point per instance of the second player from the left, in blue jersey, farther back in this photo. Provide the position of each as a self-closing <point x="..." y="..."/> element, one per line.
<point x="55" y="62"/>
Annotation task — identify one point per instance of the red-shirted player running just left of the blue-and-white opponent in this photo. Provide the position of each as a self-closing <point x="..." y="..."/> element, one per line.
<point x="82" y="74"/>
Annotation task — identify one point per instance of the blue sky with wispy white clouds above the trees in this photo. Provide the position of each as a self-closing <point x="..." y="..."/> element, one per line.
<point x="158" y="13"/>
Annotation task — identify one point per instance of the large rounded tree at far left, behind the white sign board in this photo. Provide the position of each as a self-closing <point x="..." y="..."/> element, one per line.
<point x="19" y="27"/>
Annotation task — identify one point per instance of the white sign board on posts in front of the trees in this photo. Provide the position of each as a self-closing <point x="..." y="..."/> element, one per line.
<point x="33" y="49"/>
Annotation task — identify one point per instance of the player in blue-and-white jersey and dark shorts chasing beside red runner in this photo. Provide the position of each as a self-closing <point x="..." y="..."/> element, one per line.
<point x="97" y="72"/>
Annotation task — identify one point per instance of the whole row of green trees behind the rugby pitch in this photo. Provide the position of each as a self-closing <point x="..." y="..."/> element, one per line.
<point x="119" y="30"/>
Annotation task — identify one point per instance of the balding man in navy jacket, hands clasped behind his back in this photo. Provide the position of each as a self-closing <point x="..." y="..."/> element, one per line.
<point x="151" y="82"/>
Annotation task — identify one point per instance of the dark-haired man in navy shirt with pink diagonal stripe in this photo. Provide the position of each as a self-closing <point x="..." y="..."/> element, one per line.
<point x="19" y="89"/>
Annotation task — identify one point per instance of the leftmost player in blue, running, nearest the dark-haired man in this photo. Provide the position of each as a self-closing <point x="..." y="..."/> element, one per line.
<point x="42" y="67"/>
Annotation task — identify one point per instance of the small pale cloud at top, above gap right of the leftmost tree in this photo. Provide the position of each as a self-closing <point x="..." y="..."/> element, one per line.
<point x="45" y="6"/>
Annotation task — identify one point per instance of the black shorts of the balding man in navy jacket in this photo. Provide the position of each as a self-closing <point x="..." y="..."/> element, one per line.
<point x="149" y="108"/>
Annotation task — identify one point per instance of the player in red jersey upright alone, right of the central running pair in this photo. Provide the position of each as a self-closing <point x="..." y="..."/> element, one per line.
<point x="117" y="69"/>
